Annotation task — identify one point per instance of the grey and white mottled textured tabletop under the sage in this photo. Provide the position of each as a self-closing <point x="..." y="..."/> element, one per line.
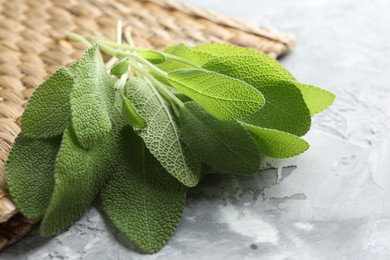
<point x="333" y="202"/>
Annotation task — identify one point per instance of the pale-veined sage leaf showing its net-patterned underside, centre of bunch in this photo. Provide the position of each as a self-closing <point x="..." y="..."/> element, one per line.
<point x="162" y="136"/>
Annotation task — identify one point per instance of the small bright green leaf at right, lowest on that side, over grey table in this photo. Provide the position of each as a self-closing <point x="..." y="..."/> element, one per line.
<point x="276" y="143"/>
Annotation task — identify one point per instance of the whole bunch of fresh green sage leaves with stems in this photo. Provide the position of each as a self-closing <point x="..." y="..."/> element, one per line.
<point x="139" y="131"/>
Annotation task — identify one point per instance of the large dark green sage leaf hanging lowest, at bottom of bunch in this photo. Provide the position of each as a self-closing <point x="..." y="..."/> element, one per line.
<point x="143" y="200"/>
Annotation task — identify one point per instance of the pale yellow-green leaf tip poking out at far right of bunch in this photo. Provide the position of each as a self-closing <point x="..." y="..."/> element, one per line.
<point x="316" y="99"/>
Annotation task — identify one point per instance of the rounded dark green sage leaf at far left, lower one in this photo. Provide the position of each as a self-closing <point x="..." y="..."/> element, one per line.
<point x="29" y="172"/>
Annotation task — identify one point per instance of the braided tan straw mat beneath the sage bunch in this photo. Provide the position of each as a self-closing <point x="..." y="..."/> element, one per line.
<point x="32" y="46"/>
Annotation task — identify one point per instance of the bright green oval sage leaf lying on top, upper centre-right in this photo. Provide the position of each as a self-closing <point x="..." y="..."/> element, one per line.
<point x="224" y="97"/>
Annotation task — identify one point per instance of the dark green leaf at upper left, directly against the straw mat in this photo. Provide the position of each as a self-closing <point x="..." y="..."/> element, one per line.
<point x="48" y="109"/>
